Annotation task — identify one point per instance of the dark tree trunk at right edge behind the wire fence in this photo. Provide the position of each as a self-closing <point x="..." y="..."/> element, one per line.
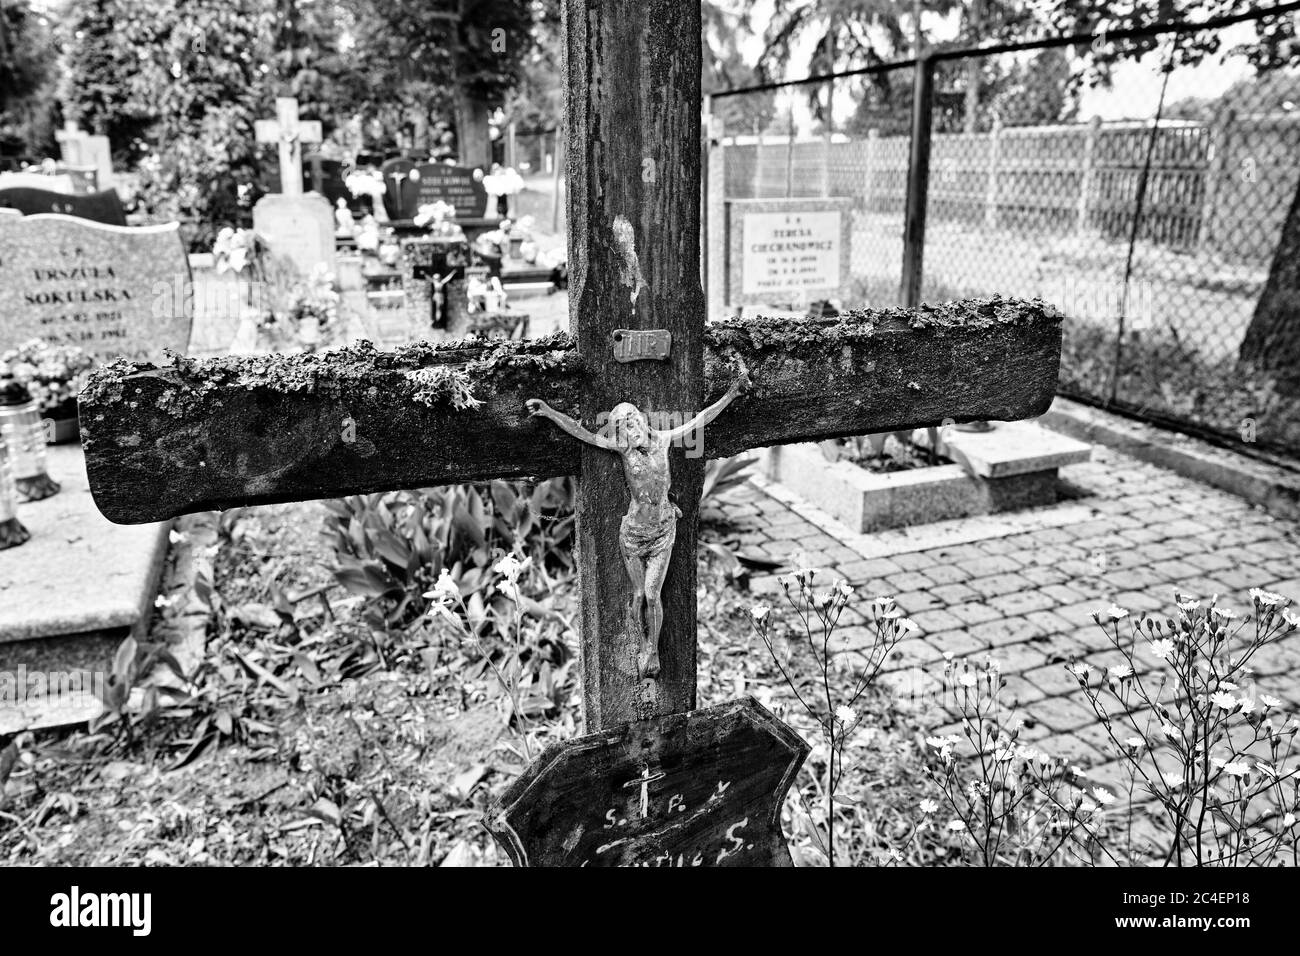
<point x="1273" y="339"/>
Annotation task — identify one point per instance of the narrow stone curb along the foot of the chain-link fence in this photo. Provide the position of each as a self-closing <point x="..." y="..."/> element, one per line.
<point x="1275" y="488"/>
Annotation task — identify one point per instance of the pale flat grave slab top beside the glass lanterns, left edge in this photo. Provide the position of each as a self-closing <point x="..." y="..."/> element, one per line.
<point x="80" y="574"/>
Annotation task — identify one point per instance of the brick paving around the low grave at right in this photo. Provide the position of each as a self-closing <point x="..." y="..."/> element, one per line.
<point x="1026" y="598"/>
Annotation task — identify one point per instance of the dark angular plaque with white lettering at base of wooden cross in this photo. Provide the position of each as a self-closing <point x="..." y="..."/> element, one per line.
<point x="700" y="789"/>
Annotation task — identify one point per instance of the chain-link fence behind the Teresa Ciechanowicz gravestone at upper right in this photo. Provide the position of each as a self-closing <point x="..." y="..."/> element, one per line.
<point x="1149" y="210"/>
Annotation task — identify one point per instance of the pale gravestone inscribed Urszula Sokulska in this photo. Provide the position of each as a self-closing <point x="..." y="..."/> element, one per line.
<point x="116" y="292"/>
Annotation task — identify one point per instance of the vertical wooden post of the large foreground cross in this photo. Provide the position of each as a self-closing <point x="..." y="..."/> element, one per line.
<point x="634" y="171"/>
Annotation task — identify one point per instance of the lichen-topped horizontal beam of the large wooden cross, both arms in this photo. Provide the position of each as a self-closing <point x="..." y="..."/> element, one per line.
<point x="194" y="436"/>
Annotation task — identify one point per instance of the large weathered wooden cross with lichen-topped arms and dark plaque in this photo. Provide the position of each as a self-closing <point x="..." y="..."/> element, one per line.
<point x="707" y="785"/>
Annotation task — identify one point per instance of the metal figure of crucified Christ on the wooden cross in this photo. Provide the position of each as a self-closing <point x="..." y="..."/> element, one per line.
<point x="651" y="526"/>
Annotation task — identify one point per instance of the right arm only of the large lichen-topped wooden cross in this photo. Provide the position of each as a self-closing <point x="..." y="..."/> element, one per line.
<point x="885" y="371"/>
